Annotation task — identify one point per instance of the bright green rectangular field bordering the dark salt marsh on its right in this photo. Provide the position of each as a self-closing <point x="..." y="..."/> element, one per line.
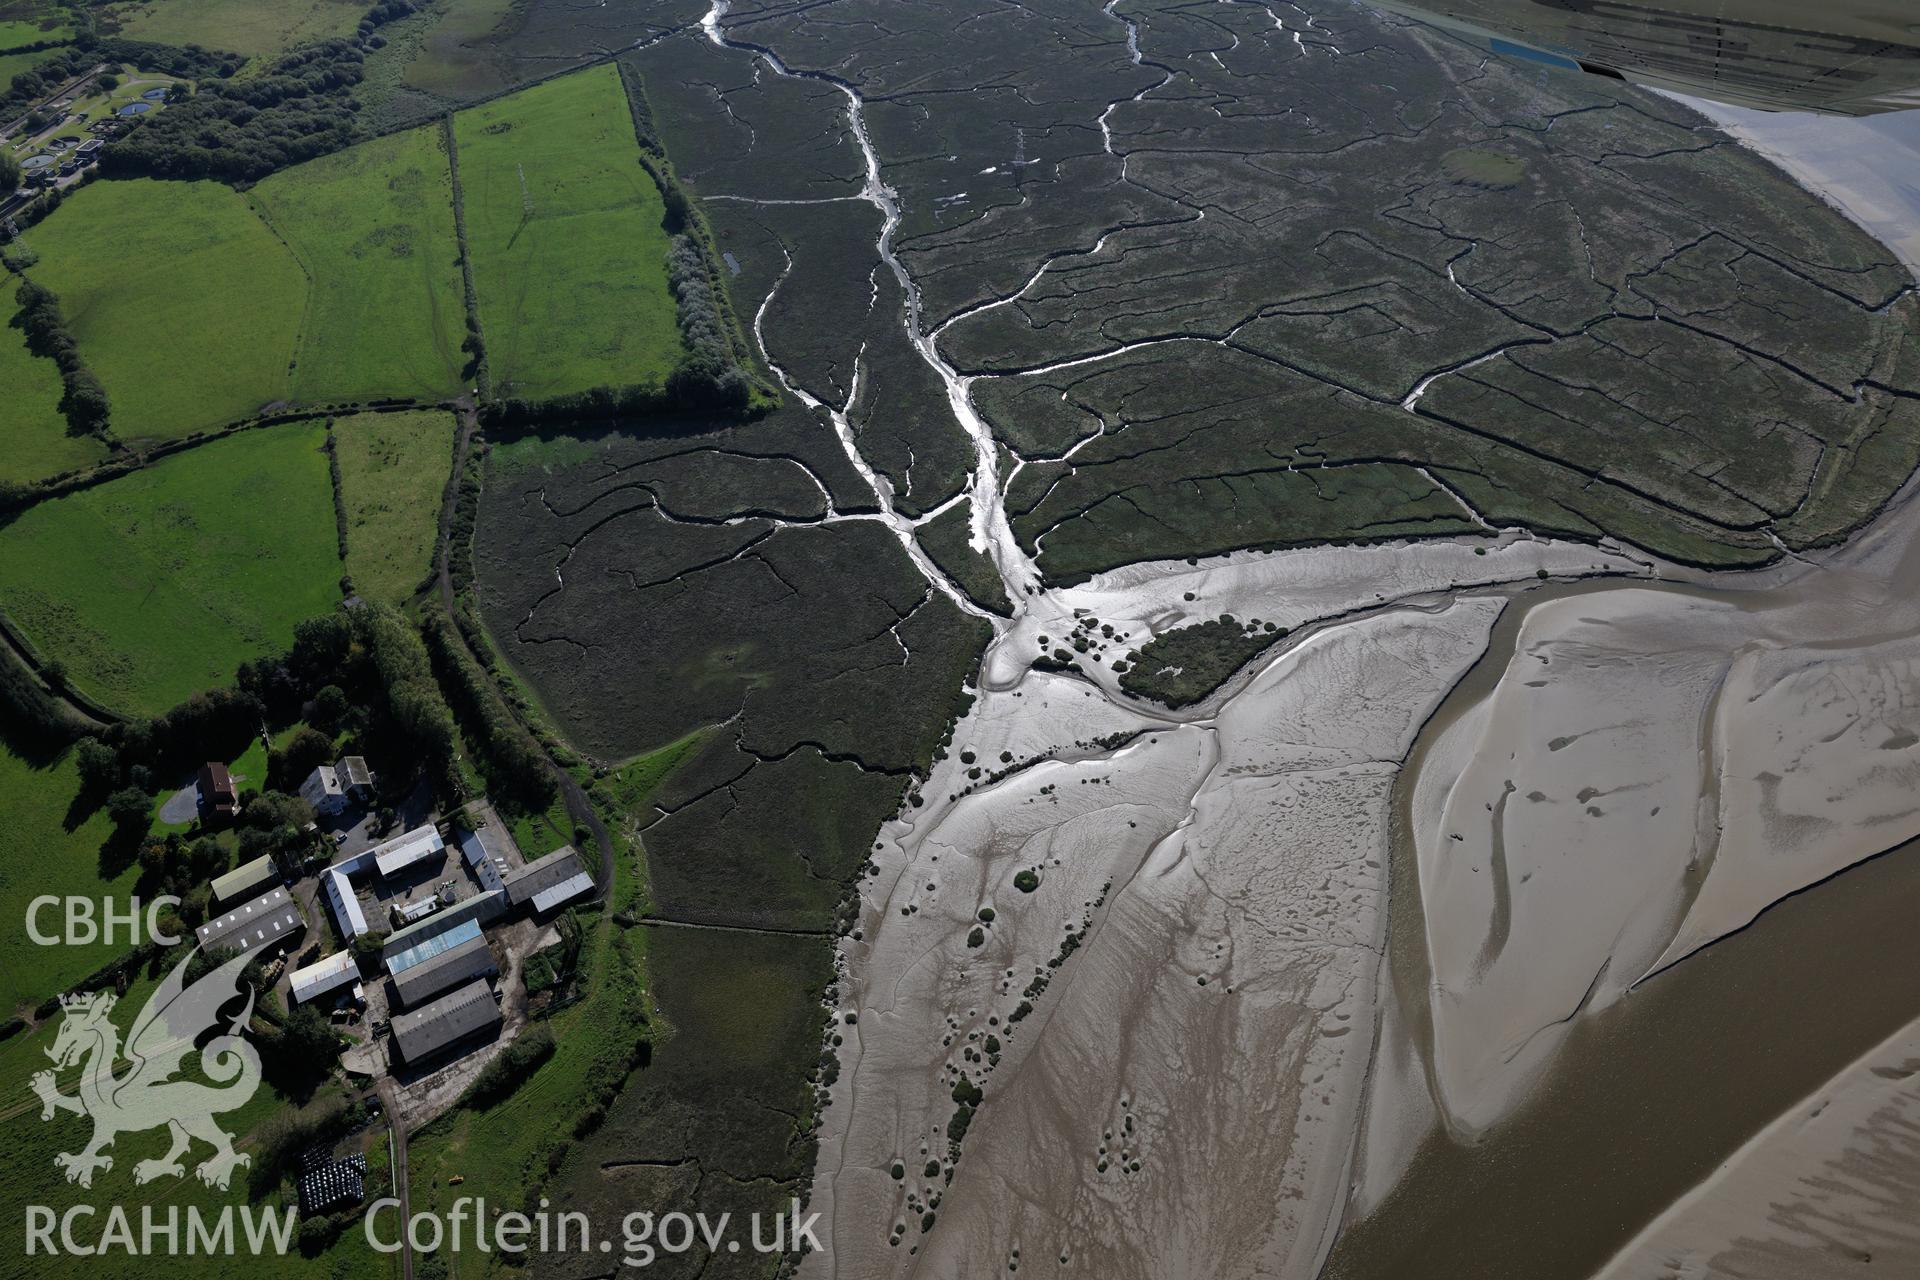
<point x="565" y="237"/>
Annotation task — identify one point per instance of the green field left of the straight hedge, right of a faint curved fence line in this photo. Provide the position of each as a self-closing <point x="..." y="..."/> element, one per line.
<point x="373" y="227"/>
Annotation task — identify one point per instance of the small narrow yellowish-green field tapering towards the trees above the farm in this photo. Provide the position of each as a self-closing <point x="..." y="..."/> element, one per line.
<point x="393" y="475"/>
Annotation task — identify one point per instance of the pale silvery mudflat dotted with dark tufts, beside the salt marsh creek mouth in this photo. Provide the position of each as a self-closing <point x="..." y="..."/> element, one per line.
<point x="1214" y="1024"/>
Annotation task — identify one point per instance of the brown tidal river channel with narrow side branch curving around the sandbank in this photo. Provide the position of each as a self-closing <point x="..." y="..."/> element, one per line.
<point x="1652" y="1095"/>
